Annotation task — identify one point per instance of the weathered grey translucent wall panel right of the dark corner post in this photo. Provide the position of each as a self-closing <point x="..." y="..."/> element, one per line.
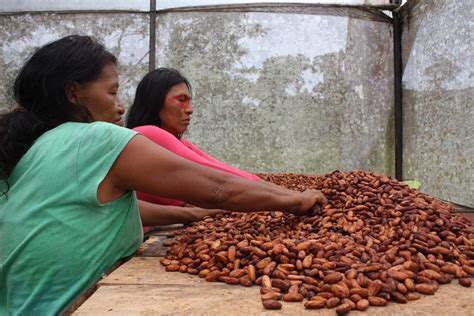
<point x="438" y="91"/>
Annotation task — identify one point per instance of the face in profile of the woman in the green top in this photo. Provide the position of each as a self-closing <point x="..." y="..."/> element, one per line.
<point x="100" y="96"/>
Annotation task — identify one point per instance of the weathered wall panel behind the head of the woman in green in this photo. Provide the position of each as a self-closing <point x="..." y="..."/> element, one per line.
<point x="124" y="34"/>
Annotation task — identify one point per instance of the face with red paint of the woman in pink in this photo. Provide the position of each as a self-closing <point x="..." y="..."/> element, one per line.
<point x="176" y="112"/>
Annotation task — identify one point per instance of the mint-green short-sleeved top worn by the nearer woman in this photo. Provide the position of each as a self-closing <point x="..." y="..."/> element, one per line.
<point x="56" y="240"/>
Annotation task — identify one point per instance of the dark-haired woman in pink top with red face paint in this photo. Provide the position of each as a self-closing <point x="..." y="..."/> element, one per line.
<point x="162" y="112"/>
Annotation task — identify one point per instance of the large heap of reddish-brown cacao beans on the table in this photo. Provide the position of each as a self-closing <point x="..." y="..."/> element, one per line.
<point x="376" y="241"/>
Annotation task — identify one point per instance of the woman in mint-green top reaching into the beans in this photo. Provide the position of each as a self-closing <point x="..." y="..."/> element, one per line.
<point x="68" y="175"/>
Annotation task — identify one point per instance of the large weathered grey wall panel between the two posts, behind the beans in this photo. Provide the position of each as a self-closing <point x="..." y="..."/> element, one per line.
<point x="286" y="91"/>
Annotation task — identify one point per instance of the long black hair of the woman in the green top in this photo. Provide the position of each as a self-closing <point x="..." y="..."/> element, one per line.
<point x="40" y="92"/>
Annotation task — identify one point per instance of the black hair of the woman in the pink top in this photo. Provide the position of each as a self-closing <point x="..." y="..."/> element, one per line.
<point x="151" y="94"/>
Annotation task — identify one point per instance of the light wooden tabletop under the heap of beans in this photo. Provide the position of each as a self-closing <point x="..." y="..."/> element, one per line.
<point x="142" y="286"/>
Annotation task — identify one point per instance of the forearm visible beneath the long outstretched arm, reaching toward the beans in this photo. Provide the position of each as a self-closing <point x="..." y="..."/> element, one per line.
<point x="157" y="215"/>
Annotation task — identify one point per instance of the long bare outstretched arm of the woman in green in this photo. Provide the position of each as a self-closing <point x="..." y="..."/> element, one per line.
<point x="146" y="167"/>
